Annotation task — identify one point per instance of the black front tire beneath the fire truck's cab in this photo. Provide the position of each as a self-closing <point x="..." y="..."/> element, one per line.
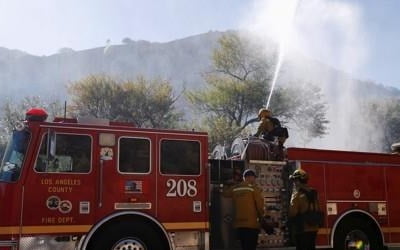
<point x="141" y="236"/>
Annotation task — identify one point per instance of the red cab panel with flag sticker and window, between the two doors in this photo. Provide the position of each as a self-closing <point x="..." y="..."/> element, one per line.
<point x="127" y="175"/>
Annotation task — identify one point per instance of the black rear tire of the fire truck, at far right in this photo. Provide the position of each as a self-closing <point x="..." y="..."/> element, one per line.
<point x="353" y="229"/>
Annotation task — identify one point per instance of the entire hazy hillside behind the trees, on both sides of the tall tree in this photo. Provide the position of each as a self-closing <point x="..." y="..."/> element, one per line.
<point x="183" y="62"/>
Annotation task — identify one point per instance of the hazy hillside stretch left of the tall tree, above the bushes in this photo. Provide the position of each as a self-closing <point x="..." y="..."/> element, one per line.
<point x="180" y="61"/>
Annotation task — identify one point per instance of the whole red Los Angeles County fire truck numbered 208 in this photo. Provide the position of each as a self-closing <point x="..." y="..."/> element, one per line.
<point x="96" y="184"/>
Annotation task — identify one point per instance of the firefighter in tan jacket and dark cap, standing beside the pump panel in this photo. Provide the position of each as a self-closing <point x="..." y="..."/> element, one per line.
<point x="248" y="204"/>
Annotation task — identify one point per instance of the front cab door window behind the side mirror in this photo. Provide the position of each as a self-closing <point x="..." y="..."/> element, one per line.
<point x="72" y="154"/>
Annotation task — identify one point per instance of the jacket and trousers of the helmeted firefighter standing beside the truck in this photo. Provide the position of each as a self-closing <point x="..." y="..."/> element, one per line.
<point x="305" y="235"/>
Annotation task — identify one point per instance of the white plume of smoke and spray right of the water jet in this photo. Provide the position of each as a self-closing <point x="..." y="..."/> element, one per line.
<point x="319" y="35"/>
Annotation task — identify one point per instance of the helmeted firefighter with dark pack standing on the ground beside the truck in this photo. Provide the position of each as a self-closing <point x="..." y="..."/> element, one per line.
<point x="301" y="201"/>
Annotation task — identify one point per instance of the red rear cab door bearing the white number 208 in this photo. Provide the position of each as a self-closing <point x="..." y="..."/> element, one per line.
<point x="181" y="184"/>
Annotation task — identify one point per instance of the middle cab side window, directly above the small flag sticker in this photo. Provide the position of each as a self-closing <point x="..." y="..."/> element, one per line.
<point x="134" y="155"/>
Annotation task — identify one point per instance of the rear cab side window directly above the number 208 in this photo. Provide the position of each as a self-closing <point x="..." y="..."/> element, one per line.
<point x="180" y="157"/>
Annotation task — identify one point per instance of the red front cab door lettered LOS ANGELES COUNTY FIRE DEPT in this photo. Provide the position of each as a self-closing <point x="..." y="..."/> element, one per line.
<point x="58" y="193"/>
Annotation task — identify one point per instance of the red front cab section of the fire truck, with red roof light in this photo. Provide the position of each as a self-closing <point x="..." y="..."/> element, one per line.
<point x="94" y="184"/>
